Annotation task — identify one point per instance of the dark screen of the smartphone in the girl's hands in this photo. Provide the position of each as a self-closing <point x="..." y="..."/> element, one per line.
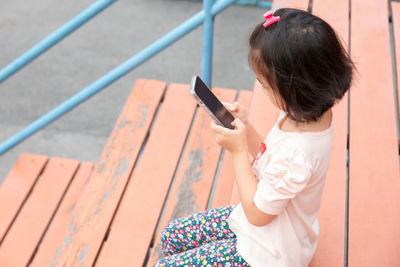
<point x="213" y="104"/>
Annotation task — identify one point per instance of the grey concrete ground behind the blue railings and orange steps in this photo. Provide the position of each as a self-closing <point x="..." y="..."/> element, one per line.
<point x="111" y="37"/>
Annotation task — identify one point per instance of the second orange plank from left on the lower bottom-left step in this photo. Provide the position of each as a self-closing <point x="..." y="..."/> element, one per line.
<point x="23" y="237"/>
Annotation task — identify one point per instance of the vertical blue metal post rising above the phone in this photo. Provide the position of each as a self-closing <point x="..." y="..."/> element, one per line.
<point x="207" y="43"/>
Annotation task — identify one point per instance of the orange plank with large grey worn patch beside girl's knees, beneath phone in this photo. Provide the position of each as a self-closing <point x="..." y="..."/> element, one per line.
<point x="193" y="182"/>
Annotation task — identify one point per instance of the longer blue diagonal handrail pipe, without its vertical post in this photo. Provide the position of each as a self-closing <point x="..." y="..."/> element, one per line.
<point x="113" y="75"/>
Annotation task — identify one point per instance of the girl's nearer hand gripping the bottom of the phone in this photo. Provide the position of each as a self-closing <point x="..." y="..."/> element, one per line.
<point x="232" y="140"/>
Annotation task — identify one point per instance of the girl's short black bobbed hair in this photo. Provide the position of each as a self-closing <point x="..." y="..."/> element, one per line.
<point x="304" y="61"/>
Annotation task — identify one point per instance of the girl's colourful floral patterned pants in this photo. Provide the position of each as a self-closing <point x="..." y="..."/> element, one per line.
<point x="202" y="239"/>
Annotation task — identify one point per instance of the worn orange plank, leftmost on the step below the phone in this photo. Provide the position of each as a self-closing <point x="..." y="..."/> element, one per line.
<point x="95" y="209"/>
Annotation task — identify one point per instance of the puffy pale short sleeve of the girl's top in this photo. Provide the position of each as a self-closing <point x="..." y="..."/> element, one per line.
<point x="284" y="176"/>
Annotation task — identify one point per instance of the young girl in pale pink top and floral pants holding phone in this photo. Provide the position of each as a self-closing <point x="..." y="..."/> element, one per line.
<point x="304" y="70"/>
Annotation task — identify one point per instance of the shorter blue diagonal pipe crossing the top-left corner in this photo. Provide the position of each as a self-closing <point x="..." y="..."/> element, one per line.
<point x="54" y="38"/>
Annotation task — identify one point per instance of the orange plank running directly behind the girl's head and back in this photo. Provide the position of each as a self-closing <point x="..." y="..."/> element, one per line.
<point x="330" y="249"/>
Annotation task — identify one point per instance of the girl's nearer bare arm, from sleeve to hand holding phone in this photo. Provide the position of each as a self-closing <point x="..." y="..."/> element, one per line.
<point x="235" y="141"/>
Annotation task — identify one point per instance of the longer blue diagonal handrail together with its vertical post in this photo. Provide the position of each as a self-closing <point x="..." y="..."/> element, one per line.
<point x="210" y="9"/>
